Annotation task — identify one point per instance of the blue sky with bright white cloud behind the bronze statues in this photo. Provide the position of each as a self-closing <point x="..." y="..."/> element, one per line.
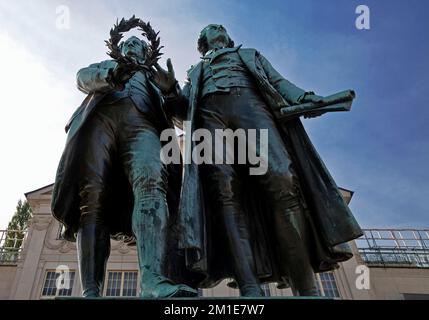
<point x="380" y="149"/>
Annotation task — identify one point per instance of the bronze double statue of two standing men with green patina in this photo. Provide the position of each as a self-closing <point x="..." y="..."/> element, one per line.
<point x="195" y="224"/>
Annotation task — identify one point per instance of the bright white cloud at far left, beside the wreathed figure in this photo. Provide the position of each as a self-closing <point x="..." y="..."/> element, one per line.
<point x="33" y="106"/>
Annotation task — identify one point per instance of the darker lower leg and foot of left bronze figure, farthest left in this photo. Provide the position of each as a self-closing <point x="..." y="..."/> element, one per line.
<point x="93" y="243"/>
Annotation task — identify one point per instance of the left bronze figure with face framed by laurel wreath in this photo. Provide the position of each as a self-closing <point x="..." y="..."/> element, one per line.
<point x="111" y="182"/>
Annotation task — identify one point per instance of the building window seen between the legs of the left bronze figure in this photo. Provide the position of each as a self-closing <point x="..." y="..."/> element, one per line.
<point x="121" y="284"/>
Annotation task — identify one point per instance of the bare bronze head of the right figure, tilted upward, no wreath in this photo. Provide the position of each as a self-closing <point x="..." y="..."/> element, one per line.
<point x="214" y="36"/>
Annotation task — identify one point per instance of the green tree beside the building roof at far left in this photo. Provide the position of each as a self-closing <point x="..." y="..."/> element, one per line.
<point x="15" y="233"/>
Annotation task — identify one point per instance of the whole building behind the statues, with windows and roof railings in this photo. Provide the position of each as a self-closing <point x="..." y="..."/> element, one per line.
<point x="387" y="264"/>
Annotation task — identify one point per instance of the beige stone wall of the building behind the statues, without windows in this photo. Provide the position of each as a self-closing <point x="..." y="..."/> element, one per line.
<point x="44" y="251"/>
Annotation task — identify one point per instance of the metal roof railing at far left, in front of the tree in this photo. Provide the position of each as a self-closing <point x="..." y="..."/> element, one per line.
<point x="11" y="242"/>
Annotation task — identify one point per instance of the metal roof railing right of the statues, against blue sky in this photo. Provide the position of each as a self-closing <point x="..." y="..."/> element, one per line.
<point x="395" y="247"/>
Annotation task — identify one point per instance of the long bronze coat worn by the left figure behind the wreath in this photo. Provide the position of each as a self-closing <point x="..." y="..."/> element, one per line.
<point x="65" y="198"/>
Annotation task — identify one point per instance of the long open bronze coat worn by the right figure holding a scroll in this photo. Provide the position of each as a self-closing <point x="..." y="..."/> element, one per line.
<point x="330" y="221"/>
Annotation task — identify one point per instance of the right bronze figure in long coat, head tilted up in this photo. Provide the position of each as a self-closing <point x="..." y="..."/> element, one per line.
<point x="278" y="227"/>
